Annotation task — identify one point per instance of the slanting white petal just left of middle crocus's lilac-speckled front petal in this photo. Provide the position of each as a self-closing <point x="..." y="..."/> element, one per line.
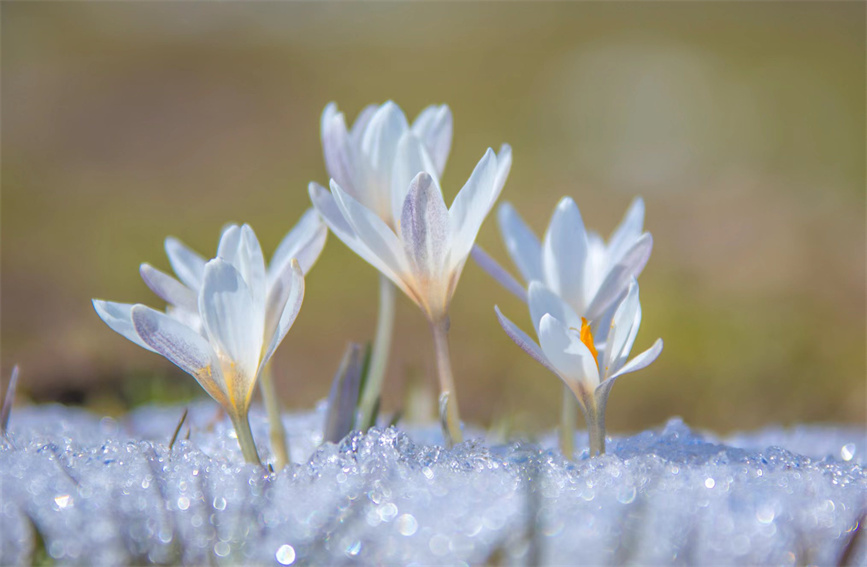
<point x="373" y="232"/>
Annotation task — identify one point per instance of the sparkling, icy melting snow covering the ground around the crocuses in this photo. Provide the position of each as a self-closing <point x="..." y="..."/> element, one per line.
<point x="89" y="490"/>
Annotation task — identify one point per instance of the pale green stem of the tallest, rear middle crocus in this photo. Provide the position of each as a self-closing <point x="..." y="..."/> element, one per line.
<point x="379" y="354"/>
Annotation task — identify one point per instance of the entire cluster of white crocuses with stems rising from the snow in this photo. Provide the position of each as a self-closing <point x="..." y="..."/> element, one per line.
<point x="226" y="316"/>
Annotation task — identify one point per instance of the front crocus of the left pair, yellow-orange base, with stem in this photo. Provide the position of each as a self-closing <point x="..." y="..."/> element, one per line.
<point x="243" y="320"/>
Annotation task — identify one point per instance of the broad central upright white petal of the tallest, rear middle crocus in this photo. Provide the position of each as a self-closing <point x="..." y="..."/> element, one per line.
<point x="379" y="146"/>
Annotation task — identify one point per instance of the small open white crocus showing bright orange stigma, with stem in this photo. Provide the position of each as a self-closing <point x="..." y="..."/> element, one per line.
<point x="587" y="366"/>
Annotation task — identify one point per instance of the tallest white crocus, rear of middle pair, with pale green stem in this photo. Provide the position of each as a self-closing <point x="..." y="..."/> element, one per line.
<point x="374" y="162"/>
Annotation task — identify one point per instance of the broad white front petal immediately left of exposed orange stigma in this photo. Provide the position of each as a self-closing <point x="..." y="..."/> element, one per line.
<point x="572" y="359"/>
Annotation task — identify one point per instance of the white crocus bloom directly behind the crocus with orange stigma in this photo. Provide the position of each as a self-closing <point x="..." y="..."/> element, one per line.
<point x="578" y="265"/>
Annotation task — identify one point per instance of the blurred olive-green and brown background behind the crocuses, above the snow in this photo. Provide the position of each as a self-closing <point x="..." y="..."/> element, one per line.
<point x="741" y="124"/>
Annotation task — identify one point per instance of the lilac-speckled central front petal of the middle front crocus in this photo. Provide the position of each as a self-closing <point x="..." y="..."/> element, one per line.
<point x="424" y="226"/>
